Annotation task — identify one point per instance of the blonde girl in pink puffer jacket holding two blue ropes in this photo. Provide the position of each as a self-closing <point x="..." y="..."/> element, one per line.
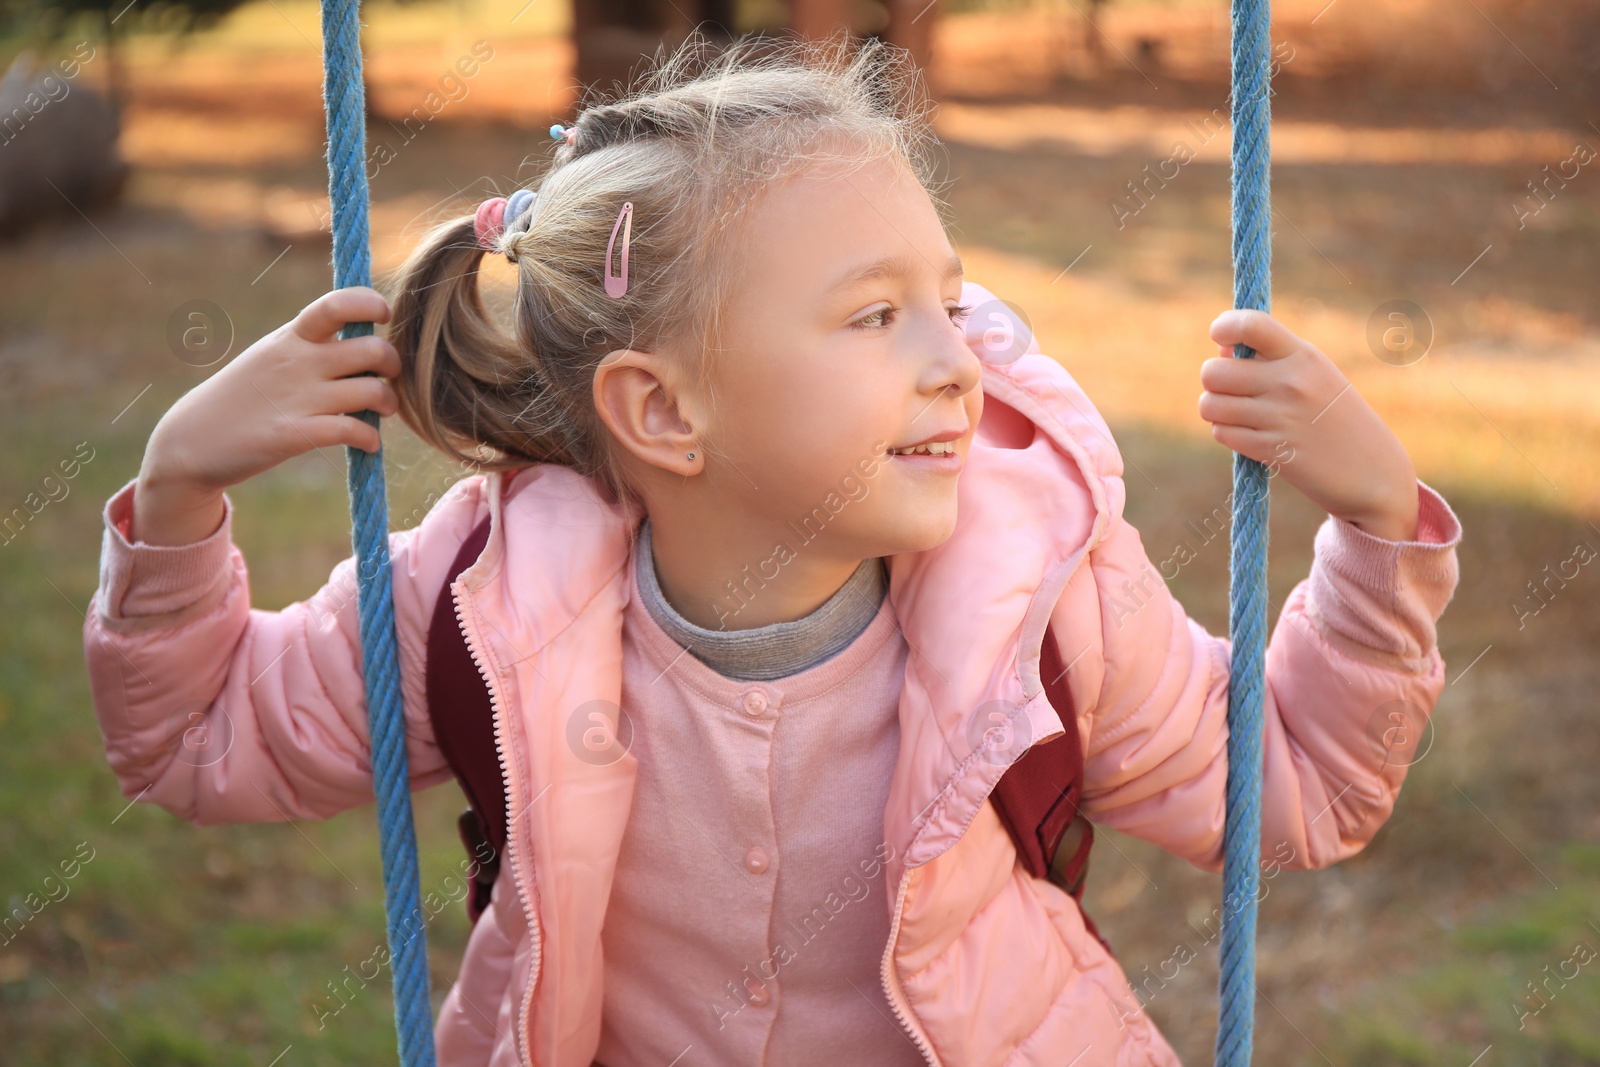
<point x="780" y="511"/>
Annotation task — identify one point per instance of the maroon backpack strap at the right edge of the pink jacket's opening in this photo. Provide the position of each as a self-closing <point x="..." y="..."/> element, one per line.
<point x="1038" y="797"/>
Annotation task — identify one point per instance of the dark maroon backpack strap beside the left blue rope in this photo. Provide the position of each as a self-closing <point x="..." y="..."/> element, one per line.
<point x="463" y="716"/>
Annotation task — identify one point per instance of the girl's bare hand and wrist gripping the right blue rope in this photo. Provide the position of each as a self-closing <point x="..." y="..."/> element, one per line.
<point x="1292" y="409"/>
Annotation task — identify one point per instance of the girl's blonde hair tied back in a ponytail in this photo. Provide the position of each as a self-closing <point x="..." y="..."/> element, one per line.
<point x="690" y="148"/>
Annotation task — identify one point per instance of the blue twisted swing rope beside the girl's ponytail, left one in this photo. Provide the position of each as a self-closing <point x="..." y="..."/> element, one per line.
<point x="345" y="102"/>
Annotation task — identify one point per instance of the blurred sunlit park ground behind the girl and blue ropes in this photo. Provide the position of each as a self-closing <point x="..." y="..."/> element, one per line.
<point x="1436" y="178"/>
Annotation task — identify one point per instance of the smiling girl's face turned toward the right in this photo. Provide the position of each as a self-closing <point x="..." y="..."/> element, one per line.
<point x="842" y="342"/>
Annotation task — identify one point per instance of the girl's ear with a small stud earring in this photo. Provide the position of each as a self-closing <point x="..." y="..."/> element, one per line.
<point x="639" y="399"/>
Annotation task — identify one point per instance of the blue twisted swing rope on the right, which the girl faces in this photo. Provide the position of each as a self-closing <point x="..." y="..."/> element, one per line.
<point x="1249" y="561"/>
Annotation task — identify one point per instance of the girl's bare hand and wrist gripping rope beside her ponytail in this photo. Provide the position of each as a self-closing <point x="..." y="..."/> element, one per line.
<point x="287" y="394"/>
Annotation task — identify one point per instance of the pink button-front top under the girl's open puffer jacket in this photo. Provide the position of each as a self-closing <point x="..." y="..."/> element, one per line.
<point x="750" y="895"/>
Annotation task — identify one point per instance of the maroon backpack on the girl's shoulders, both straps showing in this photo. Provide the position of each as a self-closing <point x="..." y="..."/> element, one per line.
<point x="1038" y="797"/>
